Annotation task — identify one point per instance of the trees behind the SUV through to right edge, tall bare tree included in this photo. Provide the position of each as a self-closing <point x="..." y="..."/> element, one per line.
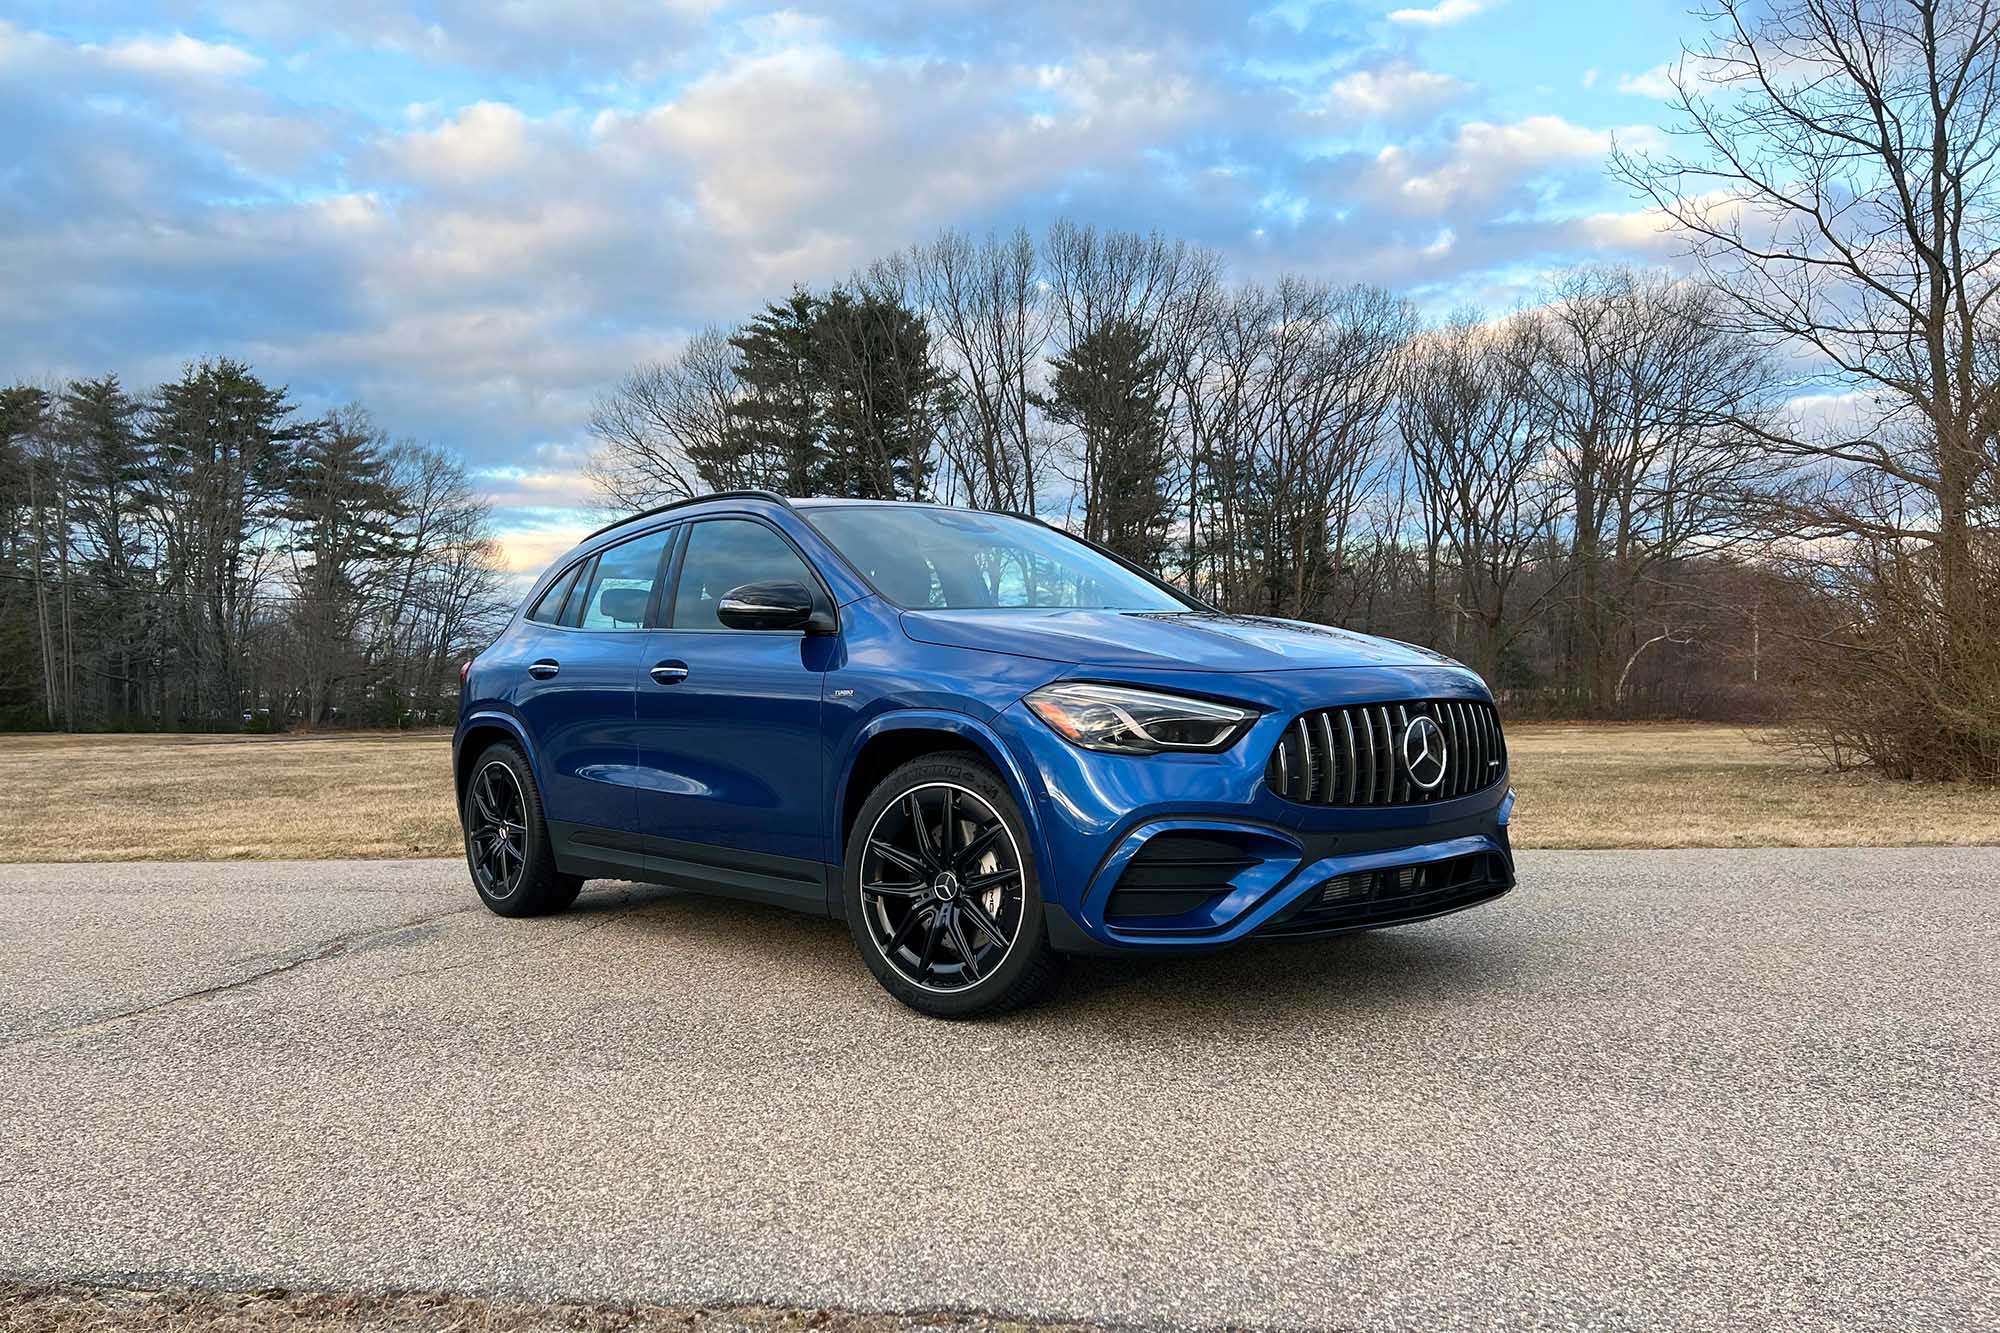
<point x="1769" y="487"/>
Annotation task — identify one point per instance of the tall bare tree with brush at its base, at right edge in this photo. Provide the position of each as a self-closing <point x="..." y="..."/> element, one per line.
<point x="1839" y="183"/>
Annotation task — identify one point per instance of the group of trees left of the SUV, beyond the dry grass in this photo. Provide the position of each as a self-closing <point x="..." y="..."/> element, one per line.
<point x="207" y="557"/>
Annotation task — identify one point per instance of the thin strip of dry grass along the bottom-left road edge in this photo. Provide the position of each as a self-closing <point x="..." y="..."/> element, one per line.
<point x="115" y="1310"/>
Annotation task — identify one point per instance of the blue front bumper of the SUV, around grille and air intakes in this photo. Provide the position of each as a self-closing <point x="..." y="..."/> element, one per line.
<point x="1281" y="868"/>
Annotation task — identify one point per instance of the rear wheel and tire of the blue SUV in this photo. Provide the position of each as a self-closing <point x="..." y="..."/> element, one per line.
<point x="503" y="786"/>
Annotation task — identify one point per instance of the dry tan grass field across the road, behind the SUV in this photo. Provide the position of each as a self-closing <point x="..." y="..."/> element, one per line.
<point x="175" y="798"/>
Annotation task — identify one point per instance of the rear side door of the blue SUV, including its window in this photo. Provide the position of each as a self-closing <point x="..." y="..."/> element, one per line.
<point x="579" y="702"/>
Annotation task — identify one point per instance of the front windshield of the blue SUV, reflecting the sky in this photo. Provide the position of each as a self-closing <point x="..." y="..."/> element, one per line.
<point x="953" y="559"/>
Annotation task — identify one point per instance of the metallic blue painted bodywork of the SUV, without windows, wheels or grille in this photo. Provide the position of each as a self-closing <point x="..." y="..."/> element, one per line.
<point x="757" y="750"/>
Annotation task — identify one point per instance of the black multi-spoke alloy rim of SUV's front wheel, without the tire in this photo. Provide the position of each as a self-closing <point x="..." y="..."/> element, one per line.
<point x="941" y="886"/>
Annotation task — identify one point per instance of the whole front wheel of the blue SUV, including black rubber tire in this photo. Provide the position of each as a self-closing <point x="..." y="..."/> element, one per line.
<point x="949" y="872"/>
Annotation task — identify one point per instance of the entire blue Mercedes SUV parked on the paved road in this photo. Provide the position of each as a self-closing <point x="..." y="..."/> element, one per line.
<point x="981" y="742"/>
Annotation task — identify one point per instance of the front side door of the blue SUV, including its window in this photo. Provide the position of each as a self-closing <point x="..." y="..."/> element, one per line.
<point x="729" y="726"/>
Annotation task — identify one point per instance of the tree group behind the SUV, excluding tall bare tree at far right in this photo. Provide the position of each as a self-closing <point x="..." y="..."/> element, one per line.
<point x="1553" y="497"/>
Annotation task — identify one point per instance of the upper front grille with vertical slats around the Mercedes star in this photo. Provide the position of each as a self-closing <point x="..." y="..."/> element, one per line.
<point x="1355" y="756"/>
